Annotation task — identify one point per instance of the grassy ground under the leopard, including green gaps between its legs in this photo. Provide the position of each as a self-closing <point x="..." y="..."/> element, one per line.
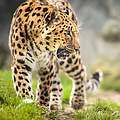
<point x="12" y="109"/>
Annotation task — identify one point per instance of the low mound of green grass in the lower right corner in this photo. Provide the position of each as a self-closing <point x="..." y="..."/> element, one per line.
<point x="100" y="111"/>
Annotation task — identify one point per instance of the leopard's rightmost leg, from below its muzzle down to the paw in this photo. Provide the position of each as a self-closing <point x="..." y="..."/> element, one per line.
<point x="73" y="67"/>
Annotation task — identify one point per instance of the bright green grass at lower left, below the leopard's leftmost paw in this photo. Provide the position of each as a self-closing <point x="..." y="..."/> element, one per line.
<point x="11" y="107"/>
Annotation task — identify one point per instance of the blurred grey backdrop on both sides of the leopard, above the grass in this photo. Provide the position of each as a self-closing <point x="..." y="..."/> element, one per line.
<point x="98" y="21"/>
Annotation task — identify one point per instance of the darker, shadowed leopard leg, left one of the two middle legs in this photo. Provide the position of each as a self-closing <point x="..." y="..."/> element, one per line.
<point x="44" y="84"/>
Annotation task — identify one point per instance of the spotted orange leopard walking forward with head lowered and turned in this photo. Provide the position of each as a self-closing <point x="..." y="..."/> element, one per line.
<point x="44" y="37"/>
